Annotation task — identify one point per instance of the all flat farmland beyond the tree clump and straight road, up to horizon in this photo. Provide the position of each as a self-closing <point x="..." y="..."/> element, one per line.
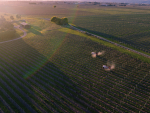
<point x="129" y="25"/>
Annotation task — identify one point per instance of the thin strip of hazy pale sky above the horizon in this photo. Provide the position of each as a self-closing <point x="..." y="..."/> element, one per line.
<point x="120" y="1"/>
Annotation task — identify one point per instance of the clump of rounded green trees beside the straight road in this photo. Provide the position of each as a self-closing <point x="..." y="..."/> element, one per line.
<point x="62" y="21"/>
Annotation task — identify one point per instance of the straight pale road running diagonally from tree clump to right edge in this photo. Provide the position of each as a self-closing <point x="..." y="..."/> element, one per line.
<point x="129" y="49"/>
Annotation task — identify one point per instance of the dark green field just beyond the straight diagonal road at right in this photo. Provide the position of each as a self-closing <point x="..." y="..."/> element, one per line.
<point x="133" y="30"/>
